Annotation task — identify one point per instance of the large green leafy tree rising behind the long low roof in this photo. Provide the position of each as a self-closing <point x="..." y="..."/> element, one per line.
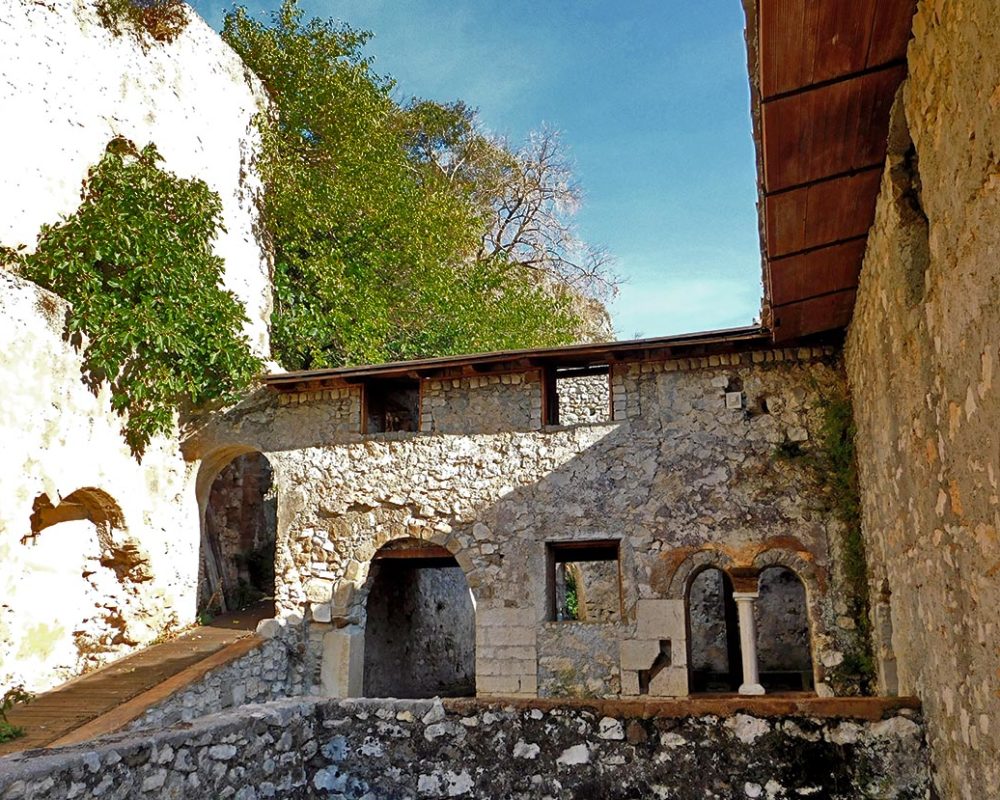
<point x="379" y="254"/>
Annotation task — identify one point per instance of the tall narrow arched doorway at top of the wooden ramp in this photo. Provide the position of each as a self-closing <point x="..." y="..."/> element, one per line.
<point x="238" y="546"/>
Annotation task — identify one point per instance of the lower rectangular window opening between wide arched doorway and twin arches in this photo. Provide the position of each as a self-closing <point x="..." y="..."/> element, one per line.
<point x="584" y="581"/>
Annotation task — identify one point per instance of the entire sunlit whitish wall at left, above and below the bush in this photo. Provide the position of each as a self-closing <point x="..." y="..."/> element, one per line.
<point x="67" y="86"/>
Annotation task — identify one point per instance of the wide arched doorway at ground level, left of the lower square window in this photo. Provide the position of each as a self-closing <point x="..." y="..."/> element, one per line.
<point x="420" y="634"/>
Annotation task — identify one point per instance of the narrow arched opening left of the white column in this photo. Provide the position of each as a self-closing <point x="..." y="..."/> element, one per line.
<point x="714" y="662"/>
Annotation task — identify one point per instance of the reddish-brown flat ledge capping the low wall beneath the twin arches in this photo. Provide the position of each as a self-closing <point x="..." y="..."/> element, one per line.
<point x="871" y="709"/>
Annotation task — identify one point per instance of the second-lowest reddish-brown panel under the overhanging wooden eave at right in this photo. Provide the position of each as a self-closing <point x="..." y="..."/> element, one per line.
<point x="816" y="272"/>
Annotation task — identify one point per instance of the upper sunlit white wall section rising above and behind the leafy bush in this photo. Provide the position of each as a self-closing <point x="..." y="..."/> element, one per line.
<point x="72" y="86"/>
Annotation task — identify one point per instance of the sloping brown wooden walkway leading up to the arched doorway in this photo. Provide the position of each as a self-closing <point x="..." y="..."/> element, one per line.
<point x="112" y="696"/>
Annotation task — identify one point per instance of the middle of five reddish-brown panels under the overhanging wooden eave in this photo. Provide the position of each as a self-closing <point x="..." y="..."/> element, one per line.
<point x="820" y="214"/>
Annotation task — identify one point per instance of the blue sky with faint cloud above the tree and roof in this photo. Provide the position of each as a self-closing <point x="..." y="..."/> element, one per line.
<point x="652" y="99"/>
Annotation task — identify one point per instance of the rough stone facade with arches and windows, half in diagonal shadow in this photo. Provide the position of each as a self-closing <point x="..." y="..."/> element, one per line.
<point x="680" y="480"/>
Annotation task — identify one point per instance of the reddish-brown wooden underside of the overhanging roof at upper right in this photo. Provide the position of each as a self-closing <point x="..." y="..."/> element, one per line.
<point x="823" y="76"/>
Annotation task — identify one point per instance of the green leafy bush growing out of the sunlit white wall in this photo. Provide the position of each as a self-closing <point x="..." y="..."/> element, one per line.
<point x="136" y="264"/>
